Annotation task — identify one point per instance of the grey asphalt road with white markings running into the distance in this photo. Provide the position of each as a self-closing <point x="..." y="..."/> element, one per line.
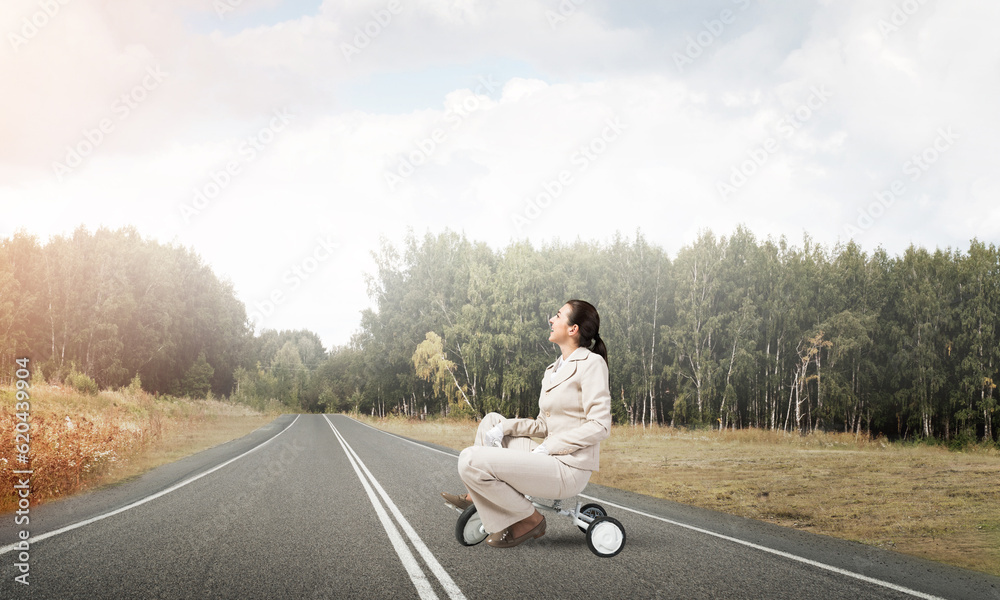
<point x="317" y="506"/>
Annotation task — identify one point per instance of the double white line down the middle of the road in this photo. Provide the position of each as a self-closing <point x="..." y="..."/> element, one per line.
<point x="420" y="580"/>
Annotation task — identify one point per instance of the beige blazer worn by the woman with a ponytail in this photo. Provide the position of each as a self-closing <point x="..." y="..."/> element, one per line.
<point x="574" y="411"/>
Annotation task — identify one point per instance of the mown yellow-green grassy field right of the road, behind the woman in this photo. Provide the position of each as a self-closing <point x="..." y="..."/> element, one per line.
<point x="916" y="499"/>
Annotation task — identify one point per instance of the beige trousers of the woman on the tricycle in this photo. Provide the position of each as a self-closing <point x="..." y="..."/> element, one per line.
<point x="499" y="478"/>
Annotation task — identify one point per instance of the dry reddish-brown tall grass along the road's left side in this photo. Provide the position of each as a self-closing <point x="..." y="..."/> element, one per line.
<point x="79" y="442"/>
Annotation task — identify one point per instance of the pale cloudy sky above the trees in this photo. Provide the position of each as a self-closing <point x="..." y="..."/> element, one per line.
<point x="285" y="140"/>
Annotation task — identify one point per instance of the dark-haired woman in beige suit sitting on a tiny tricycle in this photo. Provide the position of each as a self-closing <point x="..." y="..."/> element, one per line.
<point x="574" y="416"/>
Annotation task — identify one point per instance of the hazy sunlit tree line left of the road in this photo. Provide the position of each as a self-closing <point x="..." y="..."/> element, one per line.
<point x="109" y="308"/>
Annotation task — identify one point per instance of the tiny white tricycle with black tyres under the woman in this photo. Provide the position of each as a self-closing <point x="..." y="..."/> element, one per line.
<point x="605" y="535"/>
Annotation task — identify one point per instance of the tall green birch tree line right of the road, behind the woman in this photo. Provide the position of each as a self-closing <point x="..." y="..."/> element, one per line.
<point x="730" y="332"/>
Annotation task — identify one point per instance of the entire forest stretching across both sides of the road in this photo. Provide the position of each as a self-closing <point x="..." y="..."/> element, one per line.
<point x="731" y="332"/>
